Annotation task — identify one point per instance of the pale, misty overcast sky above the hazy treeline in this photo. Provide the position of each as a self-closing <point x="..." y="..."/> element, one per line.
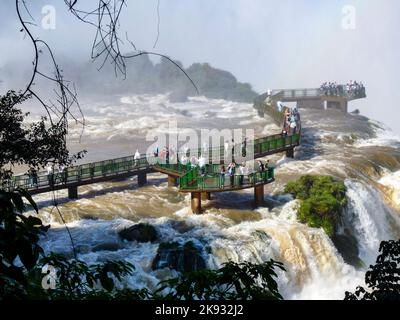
<point x="268" y="43"/>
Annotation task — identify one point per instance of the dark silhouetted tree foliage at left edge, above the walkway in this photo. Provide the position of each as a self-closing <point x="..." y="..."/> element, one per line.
<point x="31" y="144"/>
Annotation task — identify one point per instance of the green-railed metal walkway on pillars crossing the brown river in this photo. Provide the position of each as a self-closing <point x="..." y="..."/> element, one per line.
<point x="188" y="178"/>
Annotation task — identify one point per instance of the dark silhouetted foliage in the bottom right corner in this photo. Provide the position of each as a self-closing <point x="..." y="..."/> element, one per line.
<point x="383" y="278"/>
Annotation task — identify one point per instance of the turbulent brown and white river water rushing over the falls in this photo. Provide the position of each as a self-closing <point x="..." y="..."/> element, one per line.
<point x="362" y="152"/>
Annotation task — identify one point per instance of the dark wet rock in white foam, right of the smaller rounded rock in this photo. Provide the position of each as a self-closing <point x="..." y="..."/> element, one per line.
<point x="183" y="258"/>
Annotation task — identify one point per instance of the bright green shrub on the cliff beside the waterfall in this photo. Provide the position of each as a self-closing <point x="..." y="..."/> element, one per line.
<point x="321" y="201"/>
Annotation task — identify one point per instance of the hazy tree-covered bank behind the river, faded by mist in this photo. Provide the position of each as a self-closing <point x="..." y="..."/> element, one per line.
<point x="145" y="77"/>
